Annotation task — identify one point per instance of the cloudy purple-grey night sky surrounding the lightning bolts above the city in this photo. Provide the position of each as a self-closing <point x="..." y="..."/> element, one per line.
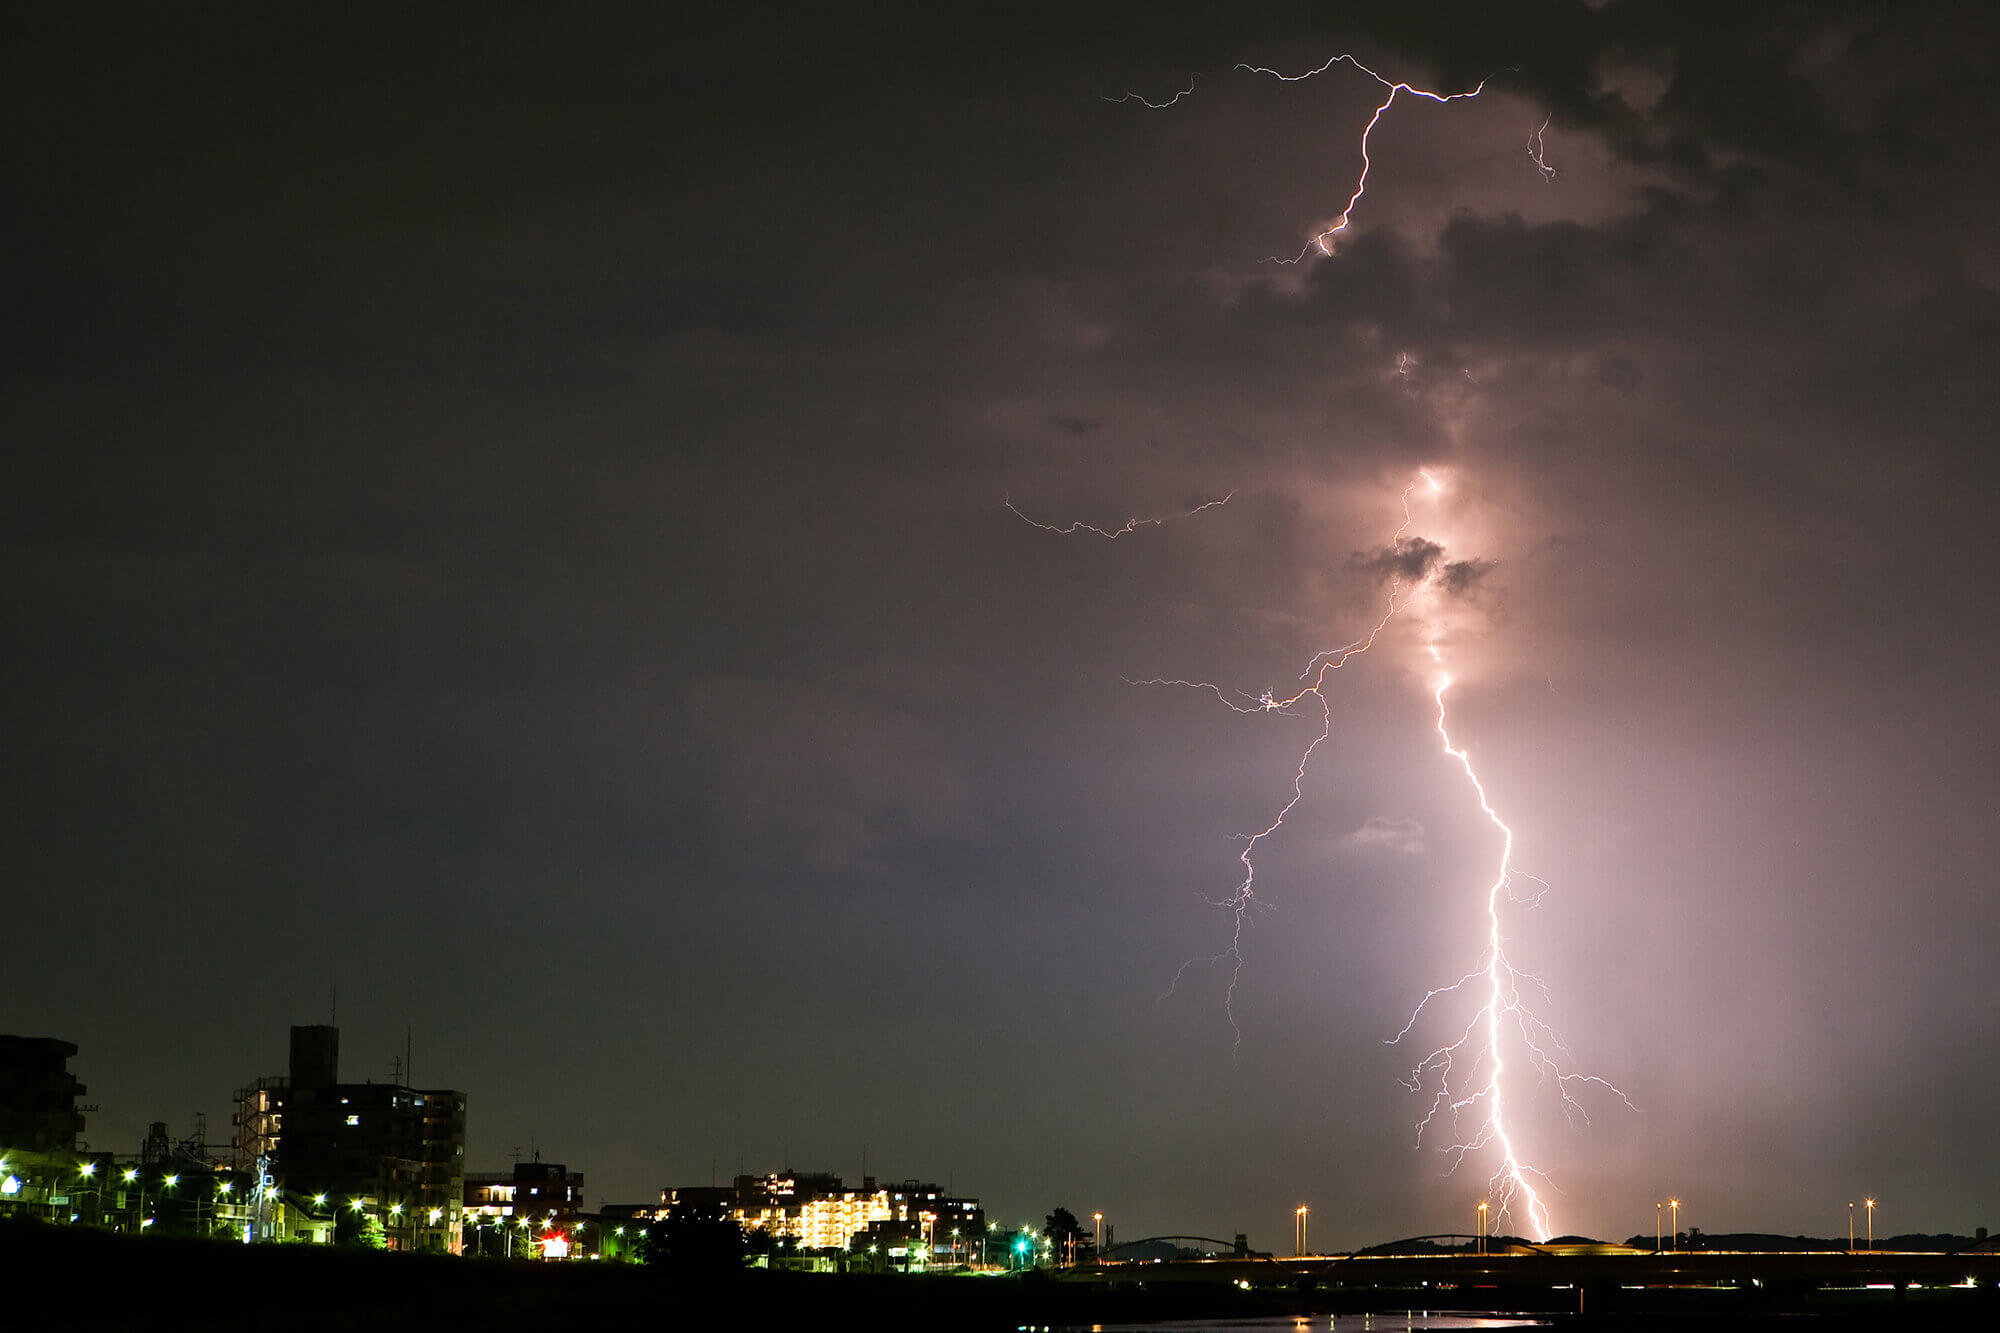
<point x="507" y="517"/>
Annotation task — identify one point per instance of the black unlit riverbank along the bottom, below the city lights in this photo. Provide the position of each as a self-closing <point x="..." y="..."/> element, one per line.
<point x="103" y="1280"/>
